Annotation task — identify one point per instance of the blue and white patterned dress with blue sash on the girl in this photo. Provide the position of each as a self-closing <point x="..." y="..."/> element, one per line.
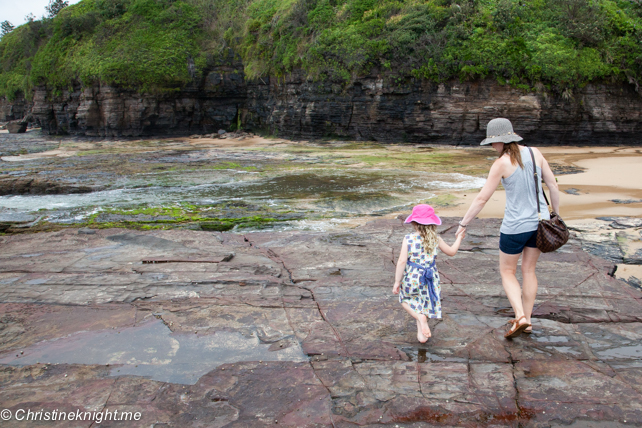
<point x="420" y="287"/>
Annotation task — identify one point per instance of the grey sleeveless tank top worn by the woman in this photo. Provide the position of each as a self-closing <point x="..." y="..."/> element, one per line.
<point x="520" y="214"/>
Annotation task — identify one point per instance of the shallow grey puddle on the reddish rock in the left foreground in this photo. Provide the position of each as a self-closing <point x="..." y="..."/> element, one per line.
<point x="151" y="350"/>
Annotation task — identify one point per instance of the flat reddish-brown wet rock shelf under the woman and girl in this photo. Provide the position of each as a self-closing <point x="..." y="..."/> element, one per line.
<point x="320" y="339"/>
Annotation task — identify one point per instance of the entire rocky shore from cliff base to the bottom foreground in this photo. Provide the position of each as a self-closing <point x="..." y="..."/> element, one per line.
<point x="198" y="307"/>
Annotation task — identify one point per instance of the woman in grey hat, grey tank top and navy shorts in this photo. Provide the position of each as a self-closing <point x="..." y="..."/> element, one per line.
<point x="514" y="169"/>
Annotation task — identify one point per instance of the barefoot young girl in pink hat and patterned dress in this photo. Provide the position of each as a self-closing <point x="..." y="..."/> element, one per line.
<point x="416" y="279"/>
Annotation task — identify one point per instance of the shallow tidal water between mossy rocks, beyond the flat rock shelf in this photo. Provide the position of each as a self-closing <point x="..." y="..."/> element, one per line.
<point x="327" y="192"/>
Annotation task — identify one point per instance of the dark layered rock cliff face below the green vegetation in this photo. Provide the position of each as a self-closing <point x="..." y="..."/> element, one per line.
<point x="372" y="108"/>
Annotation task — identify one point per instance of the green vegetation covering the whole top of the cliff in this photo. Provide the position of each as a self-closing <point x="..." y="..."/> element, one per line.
<point x="159" y="45"/>
